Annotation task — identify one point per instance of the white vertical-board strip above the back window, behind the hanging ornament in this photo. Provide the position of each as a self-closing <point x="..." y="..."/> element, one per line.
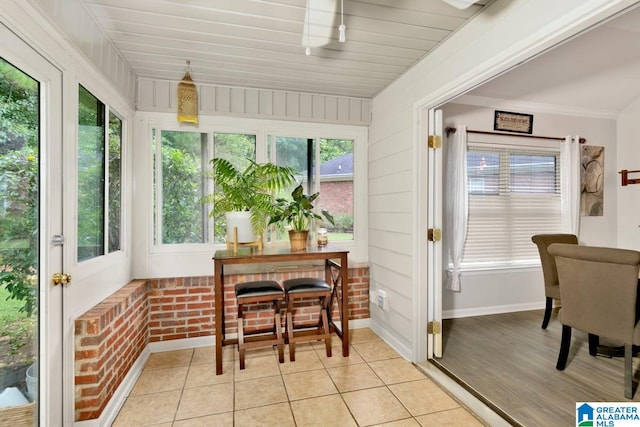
<point x="161" y="96"/>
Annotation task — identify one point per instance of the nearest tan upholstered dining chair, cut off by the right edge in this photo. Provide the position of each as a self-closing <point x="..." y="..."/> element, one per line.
<point x="599" y="291"/>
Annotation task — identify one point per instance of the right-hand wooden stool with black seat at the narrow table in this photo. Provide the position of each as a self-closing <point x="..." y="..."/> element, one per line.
<point x="301" y="289"/>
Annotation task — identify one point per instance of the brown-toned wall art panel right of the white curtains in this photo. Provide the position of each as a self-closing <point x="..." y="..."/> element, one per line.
<point x="592" y="181"/>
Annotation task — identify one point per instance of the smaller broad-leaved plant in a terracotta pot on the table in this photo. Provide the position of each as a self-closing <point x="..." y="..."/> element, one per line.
<point x="297" y="215"/>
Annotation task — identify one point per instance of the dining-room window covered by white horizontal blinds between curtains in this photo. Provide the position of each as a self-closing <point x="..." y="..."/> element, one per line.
<point x="514" y="193"/>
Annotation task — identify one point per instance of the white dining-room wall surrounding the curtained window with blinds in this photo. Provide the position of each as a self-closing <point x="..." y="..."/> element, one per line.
<point x="488" y="292"/>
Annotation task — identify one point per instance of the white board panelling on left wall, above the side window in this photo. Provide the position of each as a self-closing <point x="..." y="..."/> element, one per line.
<point x="72" y="19"/>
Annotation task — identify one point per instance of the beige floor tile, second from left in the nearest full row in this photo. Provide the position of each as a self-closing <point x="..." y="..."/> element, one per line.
<point x="207" y="400"/>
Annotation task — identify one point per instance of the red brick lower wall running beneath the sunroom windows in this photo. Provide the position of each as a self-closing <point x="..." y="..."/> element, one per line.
<point x="111" y="336"/>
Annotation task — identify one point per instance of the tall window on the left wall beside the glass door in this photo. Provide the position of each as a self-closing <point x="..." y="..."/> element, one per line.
<point x="99" y="180"/>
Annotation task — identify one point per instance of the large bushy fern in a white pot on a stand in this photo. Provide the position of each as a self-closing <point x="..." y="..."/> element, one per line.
<point x="246" y="197"/>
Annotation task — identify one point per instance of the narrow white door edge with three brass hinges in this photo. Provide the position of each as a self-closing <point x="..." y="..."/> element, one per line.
<point x="434" y="249"/>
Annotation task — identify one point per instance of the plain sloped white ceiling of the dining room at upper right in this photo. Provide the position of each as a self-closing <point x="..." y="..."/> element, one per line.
<point x="596" y="73"/>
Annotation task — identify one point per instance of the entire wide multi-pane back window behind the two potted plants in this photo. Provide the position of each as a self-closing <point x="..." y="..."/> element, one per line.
<point x="182" y="159"/>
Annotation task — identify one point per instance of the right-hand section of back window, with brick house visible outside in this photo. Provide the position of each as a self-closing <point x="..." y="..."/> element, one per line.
<point x="331" y="175"/>
